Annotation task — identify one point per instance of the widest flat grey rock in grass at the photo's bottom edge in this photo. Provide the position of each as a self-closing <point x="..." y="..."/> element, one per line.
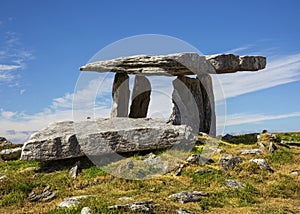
<point x="143" y="206"/>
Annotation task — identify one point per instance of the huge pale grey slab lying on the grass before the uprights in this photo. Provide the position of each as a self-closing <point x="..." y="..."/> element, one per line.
<point x="103" y="136"/>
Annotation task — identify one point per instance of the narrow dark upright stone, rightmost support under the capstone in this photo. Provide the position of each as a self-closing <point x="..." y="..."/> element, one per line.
<point x="209" y="122"/>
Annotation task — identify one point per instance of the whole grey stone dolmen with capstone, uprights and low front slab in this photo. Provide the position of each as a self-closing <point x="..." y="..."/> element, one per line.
<point x="128" y="129"/>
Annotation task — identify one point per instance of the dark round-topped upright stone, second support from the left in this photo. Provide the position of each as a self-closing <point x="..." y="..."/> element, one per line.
<point x="140" y="97"/>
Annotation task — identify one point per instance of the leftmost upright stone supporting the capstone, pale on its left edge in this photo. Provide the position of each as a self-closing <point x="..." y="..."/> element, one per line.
<point x="120" y="94"/>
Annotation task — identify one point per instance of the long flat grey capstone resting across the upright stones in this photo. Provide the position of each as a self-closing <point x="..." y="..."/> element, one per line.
<point x="178" y="64"/>
